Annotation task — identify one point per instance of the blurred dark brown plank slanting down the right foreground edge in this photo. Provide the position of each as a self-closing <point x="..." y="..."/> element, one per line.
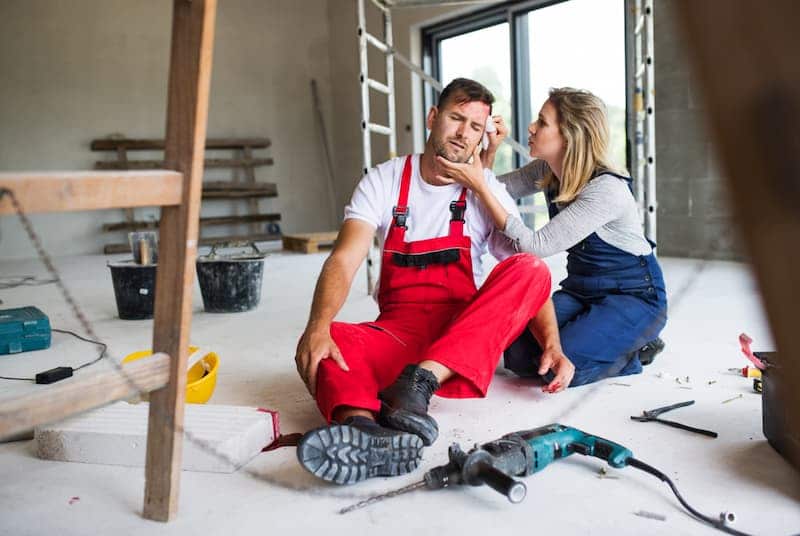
<point x="745" y="59"/>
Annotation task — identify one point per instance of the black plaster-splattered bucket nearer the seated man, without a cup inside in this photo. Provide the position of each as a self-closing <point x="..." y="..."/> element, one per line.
<point x="230" y="283"/>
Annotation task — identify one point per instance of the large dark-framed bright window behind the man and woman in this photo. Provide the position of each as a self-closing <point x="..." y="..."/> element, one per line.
<point x="519" y="50"/>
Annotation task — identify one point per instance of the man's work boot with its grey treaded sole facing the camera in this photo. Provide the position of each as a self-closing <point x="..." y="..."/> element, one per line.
<point x="358" y="449"/>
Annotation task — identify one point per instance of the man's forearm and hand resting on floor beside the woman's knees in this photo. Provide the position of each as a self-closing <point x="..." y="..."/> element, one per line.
<point x="544" y="327"/>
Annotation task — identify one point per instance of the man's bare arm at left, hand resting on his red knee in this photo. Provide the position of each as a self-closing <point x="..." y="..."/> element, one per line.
<point x="333" y="285"/>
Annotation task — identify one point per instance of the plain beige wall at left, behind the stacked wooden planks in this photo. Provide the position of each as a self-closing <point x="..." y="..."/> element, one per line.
<point x="74" y="71"/>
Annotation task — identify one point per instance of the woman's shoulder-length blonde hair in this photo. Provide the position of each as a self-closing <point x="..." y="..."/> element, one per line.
<point x="583" y="122"/>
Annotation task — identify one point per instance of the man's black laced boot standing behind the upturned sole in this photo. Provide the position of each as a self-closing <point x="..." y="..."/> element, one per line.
<point x="405" y="403"/>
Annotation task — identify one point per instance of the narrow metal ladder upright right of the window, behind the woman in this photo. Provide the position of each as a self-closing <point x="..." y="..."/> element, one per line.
<point x="644" y="110"/>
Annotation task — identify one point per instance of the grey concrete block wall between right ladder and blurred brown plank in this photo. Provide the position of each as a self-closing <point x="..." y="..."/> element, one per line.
<point x="693" y="215"/>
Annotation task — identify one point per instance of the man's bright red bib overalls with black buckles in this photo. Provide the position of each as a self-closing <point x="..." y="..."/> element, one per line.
<point x="431" y="310"/>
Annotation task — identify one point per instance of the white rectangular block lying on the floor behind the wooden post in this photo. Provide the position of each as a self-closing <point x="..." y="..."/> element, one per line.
<point x="218" y="439"/>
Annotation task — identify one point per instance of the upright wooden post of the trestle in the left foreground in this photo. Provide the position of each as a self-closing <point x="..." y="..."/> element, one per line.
<point x="187" y="115"/>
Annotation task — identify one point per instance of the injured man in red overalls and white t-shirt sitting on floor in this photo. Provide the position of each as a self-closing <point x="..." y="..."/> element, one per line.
<point x="436" y="331"/>
